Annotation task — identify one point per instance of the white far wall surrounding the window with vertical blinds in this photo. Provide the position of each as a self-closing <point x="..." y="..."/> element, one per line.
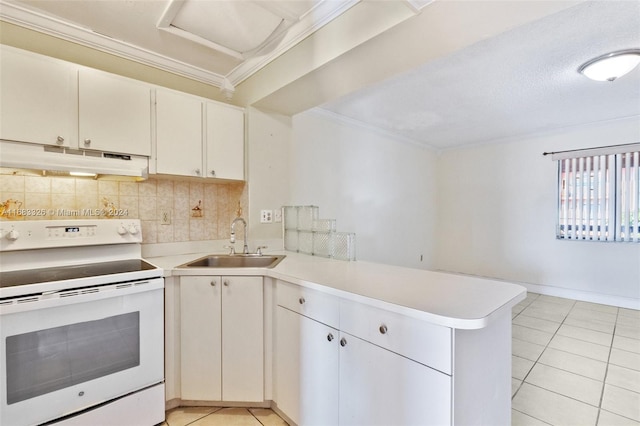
<point x="497" y="218"/>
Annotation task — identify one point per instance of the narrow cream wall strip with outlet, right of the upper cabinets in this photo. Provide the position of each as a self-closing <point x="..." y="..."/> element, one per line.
<point x="269" y="137"/>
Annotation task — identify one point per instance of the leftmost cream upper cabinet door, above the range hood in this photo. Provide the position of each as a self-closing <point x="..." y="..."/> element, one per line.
<point x="38" y="102"/>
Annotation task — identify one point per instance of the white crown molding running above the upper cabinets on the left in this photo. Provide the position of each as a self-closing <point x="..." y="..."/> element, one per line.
<point x="19" y="15"/>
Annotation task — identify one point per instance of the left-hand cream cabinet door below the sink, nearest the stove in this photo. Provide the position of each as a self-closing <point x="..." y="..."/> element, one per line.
<point x="200" y="334"/>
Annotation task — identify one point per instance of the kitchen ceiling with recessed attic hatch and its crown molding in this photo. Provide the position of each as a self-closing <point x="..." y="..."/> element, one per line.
<point x="220" y="42"/>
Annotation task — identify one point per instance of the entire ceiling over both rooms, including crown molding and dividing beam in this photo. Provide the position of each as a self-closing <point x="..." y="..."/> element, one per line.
<point x="442" y="74"/>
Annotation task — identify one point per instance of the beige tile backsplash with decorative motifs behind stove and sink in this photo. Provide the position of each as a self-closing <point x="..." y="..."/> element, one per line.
<point x="169" y="210"/>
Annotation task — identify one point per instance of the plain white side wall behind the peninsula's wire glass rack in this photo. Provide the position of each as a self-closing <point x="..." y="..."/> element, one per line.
<point x="379" y="187"/>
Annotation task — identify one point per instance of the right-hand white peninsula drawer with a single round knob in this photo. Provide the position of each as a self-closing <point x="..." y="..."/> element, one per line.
<point x="417" y="340"/>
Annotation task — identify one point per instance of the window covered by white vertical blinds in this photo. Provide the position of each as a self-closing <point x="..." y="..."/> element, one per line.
<point x="599" y="194"/>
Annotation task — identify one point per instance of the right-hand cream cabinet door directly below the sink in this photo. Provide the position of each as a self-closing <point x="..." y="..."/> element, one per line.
<point x="242" y="339"/>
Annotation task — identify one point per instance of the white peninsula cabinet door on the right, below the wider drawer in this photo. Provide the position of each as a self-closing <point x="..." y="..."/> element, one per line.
<point x="379" y="387"/>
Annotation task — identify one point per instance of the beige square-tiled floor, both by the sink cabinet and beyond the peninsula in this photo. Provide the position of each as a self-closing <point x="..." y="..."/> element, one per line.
<point x="574" y="363"/>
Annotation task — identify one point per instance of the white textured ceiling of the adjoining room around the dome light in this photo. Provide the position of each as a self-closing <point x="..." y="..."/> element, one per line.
<point x="520" y="82"/>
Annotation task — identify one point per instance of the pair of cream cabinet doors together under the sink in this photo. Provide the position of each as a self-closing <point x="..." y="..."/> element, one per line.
<point x="221" y="338"/>
